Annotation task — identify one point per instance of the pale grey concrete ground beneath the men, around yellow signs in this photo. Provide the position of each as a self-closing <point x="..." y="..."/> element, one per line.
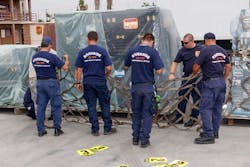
<point x="21" y="147"/>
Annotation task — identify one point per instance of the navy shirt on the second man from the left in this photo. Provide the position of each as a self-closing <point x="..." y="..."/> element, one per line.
<point x="93" y="59"/>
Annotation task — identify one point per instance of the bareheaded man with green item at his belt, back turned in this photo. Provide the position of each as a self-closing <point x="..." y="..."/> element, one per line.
<point x="143" y="59"/>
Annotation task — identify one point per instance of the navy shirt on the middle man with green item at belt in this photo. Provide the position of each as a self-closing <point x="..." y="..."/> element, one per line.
<point x="144" y="60"/>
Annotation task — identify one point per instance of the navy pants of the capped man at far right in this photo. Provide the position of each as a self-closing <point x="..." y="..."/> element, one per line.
<point x="212" y="99"/>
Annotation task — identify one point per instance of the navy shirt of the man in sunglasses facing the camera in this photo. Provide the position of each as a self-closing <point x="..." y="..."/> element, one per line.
<point x="187" y="56"/>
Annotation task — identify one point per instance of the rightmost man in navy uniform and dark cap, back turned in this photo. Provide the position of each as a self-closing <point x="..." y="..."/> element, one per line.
<point x="215" y="65"/>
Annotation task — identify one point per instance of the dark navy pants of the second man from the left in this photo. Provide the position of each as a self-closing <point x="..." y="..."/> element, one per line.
<point x="92" y="92"/>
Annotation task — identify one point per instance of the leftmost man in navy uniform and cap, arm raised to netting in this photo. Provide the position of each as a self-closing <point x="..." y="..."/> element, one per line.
<point x="48" y="88"/>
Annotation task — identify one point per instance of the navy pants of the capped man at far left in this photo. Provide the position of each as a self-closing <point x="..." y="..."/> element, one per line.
<point x="48" y="90"/>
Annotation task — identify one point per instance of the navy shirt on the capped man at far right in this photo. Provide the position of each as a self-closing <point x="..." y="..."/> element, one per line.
<point x="212" y="61"/>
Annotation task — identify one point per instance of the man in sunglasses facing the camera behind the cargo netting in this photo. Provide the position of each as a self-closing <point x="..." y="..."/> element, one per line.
<point x="187" y="55"/>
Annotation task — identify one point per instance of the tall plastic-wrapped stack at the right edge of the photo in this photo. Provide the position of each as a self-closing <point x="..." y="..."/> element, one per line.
<point x="240" y="89"/>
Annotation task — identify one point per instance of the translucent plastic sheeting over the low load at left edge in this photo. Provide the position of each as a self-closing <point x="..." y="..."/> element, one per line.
<point x="14" y="64"/>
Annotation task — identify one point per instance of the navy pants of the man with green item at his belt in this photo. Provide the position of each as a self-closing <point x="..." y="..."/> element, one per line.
<point x="142" y="113"/>
